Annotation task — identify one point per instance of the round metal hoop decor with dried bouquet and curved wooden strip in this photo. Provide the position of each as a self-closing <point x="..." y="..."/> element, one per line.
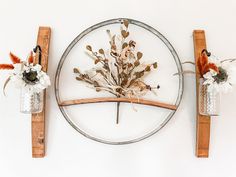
<point x="119" y="60"/>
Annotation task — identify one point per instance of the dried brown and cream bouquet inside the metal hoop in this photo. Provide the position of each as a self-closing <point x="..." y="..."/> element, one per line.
<point x="118" y="70"/>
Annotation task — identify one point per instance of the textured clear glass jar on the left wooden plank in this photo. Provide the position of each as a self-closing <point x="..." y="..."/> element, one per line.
<point x="31" y="102"/>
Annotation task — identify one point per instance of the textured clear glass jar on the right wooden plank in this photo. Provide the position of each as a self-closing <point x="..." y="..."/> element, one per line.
<point x="208" y="101"/>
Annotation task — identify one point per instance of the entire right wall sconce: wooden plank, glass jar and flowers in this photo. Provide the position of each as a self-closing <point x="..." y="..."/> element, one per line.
<point x="213" y="77"/>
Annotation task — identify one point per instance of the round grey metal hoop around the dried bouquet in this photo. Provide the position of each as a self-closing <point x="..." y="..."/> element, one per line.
<point x="94" y="27"/>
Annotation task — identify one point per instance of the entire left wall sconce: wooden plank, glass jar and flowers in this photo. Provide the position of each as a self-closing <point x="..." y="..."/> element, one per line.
<point x="30" y="76"/>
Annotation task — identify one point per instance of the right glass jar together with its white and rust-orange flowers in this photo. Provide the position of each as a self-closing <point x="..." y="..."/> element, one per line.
<point x="216" y="76"/>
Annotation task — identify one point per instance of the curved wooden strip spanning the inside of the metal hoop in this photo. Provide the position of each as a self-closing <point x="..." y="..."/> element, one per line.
<point x="111" y="99"/>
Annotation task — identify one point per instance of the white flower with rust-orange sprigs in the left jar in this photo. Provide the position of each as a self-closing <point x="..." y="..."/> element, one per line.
<point x="25" y="74"/>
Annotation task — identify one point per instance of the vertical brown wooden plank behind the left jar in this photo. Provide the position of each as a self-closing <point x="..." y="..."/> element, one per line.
<point x="38" y="120"/>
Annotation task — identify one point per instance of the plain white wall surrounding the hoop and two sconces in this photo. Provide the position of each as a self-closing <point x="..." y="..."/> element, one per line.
<point x="169" y="153"/>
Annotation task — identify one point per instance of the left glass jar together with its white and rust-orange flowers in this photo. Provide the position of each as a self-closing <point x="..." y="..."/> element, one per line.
<point x="30" y="78"/>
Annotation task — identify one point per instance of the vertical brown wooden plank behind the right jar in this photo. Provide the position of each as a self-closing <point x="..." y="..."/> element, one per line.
<point x="203" y="122"/>
